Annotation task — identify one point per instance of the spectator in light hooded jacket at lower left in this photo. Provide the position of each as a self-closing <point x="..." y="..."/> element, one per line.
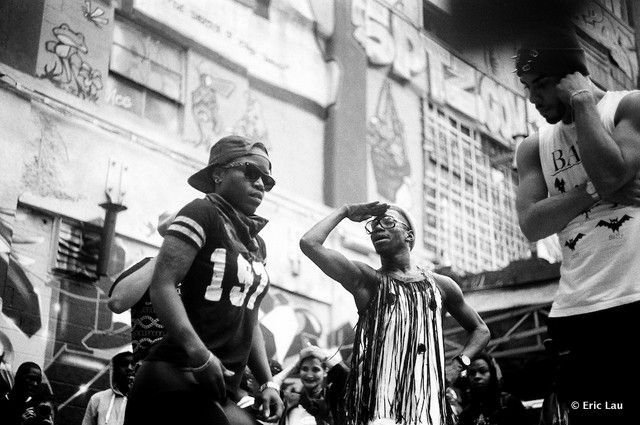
<point x="107" y="407"/>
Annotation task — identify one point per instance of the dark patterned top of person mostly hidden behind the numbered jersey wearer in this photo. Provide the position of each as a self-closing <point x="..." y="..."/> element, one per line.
<point x="146" y="328"/>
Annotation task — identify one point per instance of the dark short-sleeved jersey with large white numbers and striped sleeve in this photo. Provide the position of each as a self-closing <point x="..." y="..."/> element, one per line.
<point x="223" y="288"/>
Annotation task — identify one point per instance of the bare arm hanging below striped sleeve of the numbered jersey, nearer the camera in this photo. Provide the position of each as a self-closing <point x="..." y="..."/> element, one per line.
<point x="173" y="263"/>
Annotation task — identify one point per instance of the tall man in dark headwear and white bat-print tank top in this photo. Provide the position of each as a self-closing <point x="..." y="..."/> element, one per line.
<point x="578" y="178"/>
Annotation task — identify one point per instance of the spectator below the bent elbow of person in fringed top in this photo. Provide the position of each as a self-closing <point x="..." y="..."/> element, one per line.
<point x="487" y="404"/>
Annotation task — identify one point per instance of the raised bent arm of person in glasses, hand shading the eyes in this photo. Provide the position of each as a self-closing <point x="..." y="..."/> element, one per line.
<point x="350" y="274"/>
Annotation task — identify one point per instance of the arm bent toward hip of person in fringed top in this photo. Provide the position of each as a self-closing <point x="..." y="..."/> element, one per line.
<point x="467" y="317"/>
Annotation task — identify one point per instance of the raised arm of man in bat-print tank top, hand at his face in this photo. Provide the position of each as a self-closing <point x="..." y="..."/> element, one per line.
<point x="610" y="160"/>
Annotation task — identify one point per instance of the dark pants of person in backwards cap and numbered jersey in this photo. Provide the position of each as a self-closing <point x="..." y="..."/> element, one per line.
<point x="164" y="394"/>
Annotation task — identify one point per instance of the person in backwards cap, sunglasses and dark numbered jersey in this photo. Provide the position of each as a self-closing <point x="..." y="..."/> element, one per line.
<point x="213" y="249"/>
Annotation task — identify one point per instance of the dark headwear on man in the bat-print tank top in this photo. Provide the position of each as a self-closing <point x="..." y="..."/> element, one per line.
<point x="551" y="61"/>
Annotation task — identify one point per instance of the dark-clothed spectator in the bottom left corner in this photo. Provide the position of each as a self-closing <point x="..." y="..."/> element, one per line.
<point x="22" y="404"/>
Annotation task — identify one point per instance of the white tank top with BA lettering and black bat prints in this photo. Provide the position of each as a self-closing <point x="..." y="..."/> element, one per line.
<point x="600" y="257"/>
